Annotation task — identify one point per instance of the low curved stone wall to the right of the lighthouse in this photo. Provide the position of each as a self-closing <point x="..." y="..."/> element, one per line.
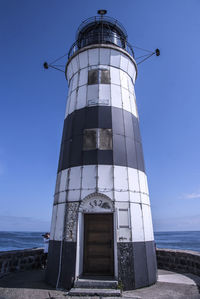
<point x="179" y="260"/>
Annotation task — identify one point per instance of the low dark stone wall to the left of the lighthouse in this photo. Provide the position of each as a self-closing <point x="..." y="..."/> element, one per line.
<point x="16" y="260"/>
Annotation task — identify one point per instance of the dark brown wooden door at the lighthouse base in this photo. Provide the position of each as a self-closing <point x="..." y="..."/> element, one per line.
<point x="98" y="245"/>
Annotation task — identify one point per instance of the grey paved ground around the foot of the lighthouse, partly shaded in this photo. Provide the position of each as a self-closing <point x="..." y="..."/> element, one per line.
<point x="31" y="285"/>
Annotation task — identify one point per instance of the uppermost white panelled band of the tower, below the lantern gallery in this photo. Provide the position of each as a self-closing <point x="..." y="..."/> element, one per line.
<point x="121" y="68"/>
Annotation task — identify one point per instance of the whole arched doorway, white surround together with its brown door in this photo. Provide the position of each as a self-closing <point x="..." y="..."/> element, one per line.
<point x="96" y="240"/>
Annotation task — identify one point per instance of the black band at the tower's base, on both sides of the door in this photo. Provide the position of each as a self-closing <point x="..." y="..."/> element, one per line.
<point x="137" y="265"/>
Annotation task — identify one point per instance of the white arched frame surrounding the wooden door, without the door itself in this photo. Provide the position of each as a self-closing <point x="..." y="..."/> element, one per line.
<point x="80" y="231"/>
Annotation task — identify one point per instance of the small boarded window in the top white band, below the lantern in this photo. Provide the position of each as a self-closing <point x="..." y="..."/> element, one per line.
<point x="99" y="76"/>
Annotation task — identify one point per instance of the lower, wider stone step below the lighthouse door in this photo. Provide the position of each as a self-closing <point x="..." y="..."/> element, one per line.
<point x="94" y="292"/>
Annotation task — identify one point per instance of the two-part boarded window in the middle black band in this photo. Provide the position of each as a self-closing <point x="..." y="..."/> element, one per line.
<point x="97" y="139"/>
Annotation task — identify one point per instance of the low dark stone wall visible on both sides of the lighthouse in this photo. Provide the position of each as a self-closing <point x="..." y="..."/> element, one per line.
<point x="168" y="259"/>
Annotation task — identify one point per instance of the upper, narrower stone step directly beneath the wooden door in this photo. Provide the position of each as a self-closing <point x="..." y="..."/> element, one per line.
<point x="95" y="284"/>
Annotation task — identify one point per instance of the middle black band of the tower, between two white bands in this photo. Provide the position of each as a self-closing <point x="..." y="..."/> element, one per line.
<point x="127" y="146"/>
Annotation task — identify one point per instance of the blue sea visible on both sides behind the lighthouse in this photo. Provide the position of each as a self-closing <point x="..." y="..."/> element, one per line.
<point x="189" y="240"/>
